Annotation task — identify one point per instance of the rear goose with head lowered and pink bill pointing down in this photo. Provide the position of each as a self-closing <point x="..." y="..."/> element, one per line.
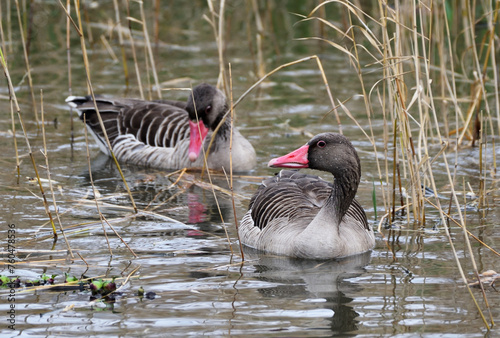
<point x="167" y="134"/>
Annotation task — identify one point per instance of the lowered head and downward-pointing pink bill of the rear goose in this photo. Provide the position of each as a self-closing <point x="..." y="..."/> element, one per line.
<point x="206" y="105"/>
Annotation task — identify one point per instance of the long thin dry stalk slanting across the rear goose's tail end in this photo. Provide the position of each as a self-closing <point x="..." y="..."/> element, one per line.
<point x="79" y="30"/>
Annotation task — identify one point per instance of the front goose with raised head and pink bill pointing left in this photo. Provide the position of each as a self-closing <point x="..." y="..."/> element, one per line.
<point x="301" y="215"/>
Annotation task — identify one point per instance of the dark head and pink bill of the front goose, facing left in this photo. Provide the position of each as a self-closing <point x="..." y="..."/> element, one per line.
<point x="329" y="152"/>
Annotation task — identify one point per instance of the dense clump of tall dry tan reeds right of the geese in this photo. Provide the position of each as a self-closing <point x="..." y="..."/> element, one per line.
<point x="429" y="113"/>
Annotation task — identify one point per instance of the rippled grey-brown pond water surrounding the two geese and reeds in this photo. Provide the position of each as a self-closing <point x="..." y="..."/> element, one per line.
<point x="409" y="285"/>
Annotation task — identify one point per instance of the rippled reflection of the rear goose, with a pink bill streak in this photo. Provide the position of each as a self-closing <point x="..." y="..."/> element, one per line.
<point x="190" y="200"/>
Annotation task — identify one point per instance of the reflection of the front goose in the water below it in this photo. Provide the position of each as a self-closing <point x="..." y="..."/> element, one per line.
<point x="306" y="279"/>
